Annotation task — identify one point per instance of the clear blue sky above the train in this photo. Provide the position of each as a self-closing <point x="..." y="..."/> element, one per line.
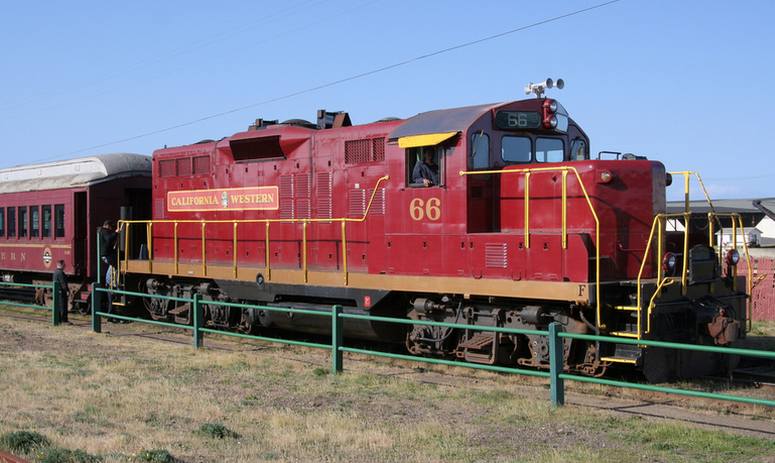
<point x="686" y="82"/>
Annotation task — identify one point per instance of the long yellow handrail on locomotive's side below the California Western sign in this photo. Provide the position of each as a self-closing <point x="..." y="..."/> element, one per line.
<point x="267" y="222"/>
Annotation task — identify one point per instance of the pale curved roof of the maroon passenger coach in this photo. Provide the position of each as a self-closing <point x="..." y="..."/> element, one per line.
<point x="73" y="173"/>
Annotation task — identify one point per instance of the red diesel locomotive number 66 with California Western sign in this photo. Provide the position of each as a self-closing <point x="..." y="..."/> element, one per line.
<point x="515" y="226"/>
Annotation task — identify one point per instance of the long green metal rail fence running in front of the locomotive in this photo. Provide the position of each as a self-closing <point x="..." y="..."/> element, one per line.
<point x="556" y="375"/>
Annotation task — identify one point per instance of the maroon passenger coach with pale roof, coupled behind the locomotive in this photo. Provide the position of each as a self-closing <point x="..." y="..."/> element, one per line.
<point x="49" y="212"/>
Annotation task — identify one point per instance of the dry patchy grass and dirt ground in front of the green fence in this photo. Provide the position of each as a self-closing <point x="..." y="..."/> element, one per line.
<point x="133" y="388"/>
